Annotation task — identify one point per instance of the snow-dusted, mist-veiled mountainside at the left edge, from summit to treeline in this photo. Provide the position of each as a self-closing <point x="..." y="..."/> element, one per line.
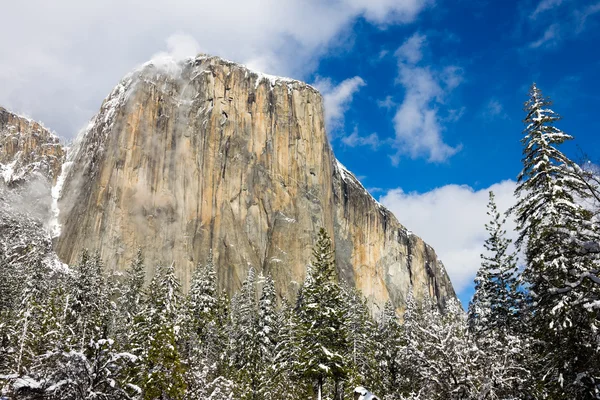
<point x="30" y="162"/>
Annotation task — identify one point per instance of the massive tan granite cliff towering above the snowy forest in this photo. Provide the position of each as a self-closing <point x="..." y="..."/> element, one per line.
<point x="208" y="154"/>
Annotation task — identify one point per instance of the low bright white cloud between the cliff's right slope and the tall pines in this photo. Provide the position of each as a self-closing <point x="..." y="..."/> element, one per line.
<point x="452" y="219"/>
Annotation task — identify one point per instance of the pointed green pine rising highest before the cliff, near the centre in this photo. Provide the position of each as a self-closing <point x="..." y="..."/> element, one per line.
<point x="322" y="337"/>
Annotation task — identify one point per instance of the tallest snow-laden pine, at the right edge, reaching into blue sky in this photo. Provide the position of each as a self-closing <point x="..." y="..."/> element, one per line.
<point x="562" y="278"/>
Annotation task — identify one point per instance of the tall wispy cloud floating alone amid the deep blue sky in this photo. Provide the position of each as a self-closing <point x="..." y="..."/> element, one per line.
<point x="417" y="123"/>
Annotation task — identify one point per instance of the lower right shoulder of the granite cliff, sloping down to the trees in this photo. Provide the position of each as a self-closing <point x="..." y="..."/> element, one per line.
<point x="379" y="255"/>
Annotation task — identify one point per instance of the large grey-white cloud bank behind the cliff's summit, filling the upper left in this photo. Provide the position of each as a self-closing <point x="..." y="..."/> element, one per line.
<point x="60" y="58"/>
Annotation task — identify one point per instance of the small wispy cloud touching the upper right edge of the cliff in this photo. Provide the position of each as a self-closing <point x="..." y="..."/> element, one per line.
<point x="337" y="99"/>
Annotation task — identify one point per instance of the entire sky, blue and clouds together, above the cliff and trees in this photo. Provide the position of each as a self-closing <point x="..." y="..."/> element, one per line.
<point x="423" y="97"/>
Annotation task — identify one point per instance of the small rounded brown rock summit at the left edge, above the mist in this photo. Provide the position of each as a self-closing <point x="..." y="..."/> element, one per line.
<point x="26" y="149"/>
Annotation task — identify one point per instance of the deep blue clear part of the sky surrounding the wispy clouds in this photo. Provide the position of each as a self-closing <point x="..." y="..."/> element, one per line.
<point x="498" y="53"/>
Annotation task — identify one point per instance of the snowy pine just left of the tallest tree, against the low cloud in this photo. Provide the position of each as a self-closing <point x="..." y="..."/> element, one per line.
<point x="493" y="317"/>
